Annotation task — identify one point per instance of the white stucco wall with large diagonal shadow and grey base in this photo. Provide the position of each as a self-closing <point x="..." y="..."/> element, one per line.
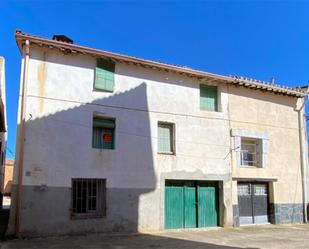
<point x="60" y="104"/>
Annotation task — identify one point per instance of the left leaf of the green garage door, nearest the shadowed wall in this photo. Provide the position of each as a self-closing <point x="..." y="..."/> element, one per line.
<point x="174" y="207"/>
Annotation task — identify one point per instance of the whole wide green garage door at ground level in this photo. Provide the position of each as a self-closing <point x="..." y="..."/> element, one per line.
<point x="191" y="204"/>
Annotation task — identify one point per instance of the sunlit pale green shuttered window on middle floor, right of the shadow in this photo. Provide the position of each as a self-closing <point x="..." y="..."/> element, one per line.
<point x="166" y="138"/>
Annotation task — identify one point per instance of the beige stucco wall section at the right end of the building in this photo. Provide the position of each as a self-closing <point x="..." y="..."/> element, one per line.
<point x="276" y="116"/>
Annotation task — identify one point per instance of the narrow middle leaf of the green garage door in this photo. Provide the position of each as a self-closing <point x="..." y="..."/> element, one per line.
<point x="190" y="207"/>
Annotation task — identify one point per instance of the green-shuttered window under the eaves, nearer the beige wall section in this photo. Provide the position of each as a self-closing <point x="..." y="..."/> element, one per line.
<point x="209" y="98"/>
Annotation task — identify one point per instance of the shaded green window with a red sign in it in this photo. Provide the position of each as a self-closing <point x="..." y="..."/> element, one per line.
<point x="103" y="133"/>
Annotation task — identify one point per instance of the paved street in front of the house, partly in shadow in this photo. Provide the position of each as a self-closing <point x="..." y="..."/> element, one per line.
<point x="270" y="236"/>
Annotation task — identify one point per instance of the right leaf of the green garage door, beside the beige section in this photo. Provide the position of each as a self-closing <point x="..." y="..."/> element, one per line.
<point x="208" y="208"/>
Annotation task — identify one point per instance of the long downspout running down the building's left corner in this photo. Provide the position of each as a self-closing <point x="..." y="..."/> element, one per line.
<point x="26" y="53"/>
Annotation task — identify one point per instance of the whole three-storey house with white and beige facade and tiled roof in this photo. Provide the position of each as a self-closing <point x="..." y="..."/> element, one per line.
<point x="109" y="142"/>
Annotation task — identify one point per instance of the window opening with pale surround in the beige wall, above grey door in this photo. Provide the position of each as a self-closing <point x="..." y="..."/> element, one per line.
<point x="251" y="152"/>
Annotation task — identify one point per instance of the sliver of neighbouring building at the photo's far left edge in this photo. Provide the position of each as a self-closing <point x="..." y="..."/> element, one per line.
<point x="2" y="125"/>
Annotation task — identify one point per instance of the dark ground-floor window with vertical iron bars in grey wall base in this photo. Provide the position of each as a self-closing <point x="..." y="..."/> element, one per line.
<point x="88" y="197"/>
